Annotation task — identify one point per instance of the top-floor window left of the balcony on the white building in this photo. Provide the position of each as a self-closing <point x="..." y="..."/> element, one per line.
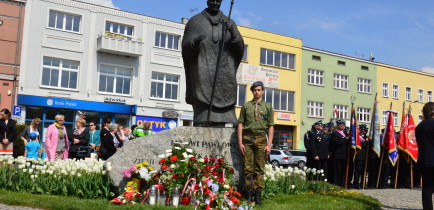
<point x="64" y="21"/>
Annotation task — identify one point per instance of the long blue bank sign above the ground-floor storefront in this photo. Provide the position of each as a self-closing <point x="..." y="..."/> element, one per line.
<point x="75" y="104"/>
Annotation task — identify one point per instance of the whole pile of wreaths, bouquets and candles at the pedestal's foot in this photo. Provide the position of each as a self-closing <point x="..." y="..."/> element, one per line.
<point x="183" y="179"/>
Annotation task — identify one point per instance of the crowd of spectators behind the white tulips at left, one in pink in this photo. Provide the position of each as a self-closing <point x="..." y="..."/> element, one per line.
<point x="84" y="141"/>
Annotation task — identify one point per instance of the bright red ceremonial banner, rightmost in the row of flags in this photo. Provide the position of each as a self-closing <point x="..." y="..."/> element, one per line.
<point x="407" y="138"/>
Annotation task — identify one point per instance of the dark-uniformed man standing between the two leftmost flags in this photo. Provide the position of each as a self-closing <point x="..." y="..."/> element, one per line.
<point x="359" y="165"/>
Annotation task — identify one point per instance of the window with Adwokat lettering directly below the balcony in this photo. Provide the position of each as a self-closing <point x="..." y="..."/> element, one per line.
<point x="115" y="79"/>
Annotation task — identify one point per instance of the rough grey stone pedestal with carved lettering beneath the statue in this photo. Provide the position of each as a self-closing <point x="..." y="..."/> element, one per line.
<point x="206" y="142"/>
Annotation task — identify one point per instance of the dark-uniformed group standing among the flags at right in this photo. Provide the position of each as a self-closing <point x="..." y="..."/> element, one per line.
<point x="327" y="148"/>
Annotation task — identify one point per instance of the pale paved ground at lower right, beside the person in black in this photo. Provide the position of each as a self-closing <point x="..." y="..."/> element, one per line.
<point x="397" y="198"/>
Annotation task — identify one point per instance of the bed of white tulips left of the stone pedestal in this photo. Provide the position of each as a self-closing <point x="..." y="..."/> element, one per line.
<point x="84" y="178"/>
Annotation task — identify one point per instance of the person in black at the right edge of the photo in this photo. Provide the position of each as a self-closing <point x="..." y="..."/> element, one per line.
<point x="425" y="162"/>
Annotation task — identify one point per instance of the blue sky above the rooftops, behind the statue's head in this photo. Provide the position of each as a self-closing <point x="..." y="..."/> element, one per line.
<point x="397" y="32"/>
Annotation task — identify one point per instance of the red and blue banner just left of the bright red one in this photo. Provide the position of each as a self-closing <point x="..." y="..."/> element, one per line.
<point x="389" y="138"/>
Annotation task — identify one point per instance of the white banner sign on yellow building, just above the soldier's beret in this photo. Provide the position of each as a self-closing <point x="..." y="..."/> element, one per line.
<point x="248" y="74"/>
